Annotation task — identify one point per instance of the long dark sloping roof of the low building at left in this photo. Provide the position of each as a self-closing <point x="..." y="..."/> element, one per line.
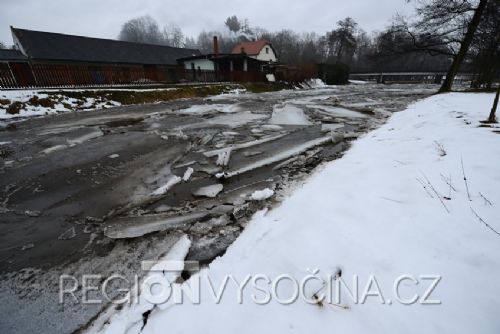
<point x="53" y="46"/>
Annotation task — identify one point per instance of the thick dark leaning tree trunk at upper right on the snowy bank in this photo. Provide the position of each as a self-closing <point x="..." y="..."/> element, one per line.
<point x="464" y="47"/>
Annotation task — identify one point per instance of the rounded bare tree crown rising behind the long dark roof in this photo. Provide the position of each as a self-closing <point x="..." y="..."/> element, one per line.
<point x="143" y="29"/>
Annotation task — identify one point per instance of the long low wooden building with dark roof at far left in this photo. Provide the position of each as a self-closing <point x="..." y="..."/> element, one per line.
<point x="44" y="59"/>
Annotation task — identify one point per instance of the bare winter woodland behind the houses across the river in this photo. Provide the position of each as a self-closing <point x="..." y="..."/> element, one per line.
<point x="427" y="42"/>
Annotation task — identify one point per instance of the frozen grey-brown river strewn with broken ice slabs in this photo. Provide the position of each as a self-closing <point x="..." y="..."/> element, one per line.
<point x="105" y="189"/>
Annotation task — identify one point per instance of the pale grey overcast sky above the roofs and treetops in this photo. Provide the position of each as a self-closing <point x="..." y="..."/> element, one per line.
<point x="103" y="18"/>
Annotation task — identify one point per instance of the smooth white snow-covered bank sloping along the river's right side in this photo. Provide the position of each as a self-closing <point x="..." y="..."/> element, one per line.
<point x="396" y="204"/>
